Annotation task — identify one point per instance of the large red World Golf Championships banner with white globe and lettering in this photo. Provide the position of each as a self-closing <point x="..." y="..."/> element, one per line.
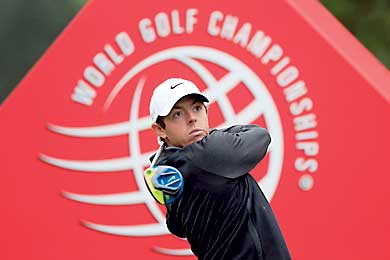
<point x="76" y="132"/>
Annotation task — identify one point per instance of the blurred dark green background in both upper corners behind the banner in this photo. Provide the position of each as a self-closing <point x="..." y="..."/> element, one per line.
<point x="27" y="28"/>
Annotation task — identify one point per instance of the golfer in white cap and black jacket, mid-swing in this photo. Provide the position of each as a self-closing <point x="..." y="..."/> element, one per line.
<point x="221" y="210"/>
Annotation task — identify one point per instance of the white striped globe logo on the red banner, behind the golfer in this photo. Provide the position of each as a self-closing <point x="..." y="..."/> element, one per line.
<point x="191" y="57"/>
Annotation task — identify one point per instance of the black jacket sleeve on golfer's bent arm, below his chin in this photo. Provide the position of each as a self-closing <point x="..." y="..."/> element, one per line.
<point x="230" y="152"/>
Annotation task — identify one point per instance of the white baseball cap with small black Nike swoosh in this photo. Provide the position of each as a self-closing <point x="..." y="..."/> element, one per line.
<point x="168" y="93"/>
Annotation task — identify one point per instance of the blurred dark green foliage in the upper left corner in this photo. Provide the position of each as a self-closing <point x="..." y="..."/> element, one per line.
<point x="27" y="28"/>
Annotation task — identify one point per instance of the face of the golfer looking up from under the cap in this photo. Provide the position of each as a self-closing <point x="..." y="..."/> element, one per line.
<point x="185" y="124"/>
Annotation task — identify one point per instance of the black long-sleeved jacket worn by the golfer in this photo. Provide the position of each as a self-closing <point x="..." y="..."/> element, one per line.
<point x="222" y="211"/>
